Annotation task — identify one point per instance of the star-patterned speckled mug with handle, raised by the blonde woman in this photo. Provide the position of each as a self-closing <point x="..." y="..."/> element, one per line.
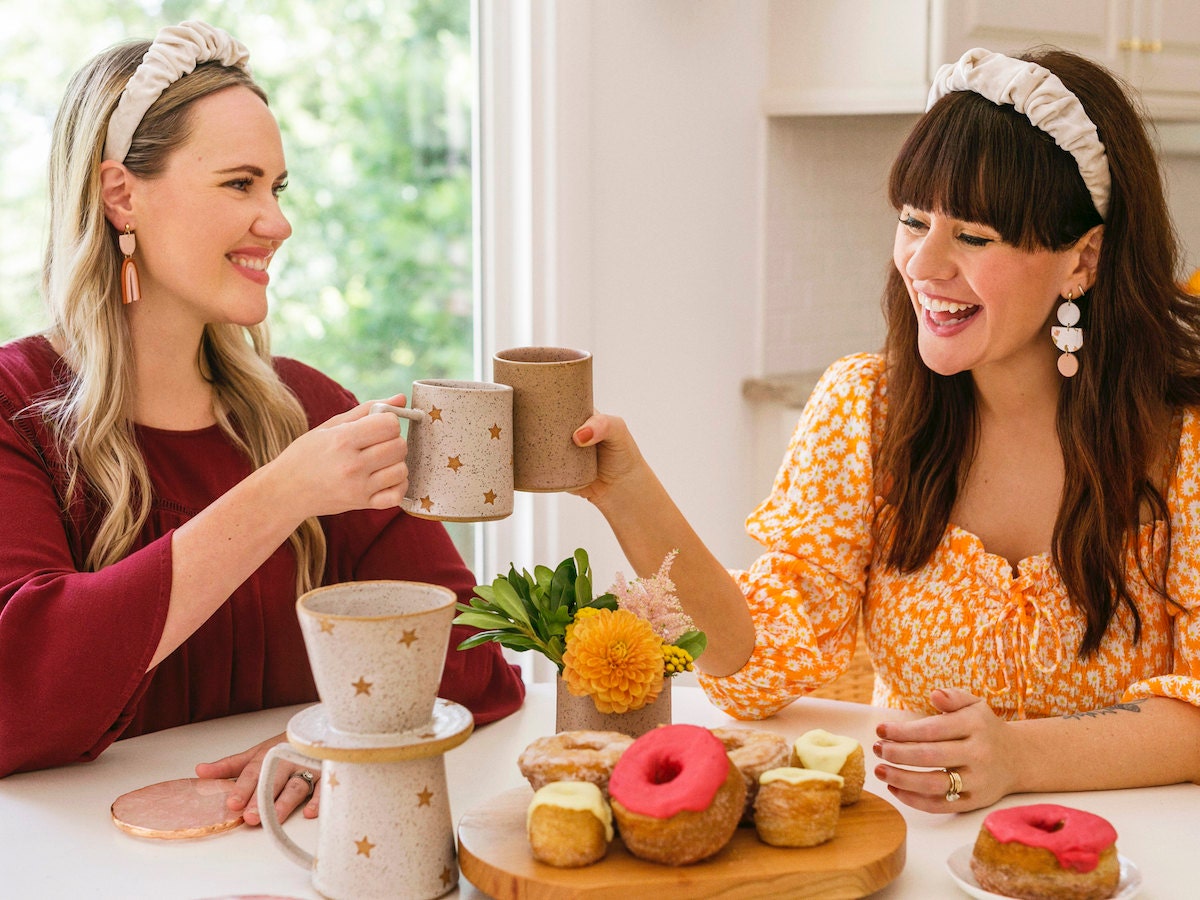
<point x="460" y="451"/>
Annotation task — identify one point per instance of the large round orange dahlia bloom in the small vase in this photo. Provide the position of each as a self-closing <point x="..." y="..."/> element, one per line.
<point x="616" y="658"/>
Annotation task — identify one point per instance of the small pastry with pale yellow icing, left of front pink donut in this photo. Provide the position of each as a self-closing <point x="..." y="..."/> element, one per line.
<point x="569" y="824"/>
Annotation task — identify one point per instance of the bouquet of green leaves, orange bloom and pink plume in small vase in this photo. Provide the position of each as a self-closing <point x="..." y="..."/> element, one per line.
<point x="617" y="647"/>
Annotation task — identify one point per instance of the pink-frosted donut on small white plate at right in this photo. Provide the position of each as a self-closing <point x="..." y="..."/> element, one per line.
<point x="1045" y="850"/>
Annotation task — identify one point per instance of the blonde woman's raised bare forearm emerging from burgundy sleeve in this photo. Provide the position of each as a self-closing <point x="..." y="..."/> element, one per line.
<point x="221" y="548"/>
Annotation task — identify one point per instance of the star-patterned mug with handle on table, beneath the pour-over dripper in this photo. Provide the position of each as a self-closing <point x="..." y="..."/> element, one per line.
<point x="385" y="831"/>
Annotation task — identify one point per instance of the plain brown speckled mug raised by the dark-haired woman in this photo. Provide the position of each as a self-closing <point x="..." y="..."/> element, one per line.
<point x="551" y="399"/>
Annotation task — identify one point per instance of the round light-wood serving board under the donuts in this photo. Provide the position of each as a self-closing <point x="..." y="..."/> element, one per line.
<point x="865" y="856"/>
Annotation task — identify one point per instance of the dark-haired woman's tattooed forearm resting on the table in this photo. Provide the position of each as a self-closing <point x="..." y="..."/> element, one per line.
<point x="1150" y="742"/>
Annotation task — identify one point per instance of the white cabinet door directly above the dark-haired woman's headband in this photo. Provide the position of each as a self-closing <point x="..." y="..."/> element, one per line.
<point x="1013" y="27"/>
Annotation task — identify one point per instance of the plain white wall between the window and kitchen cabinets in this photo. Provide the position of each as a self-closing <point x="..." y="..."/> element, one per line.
<point x="657" y="233"/>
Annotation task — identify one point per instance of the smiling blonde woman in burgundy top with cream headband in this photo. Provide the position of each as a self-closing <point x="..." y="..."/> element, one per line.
<point x="169" y="487"/>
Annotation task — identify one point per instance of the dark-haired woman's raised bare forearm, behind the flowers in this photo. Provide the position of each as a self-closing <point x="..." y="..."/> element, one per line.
<point x="649" y="525"/>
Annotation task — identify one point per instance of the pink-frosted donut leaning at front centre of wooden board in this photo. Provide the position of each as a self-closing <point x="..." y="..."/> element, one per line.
<point x="676" y="796"/>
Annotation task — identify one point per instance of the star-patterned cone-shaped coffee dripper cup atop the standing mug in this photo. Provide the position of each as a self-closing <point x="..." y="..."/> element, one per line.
<point x="377" y="651"/>
